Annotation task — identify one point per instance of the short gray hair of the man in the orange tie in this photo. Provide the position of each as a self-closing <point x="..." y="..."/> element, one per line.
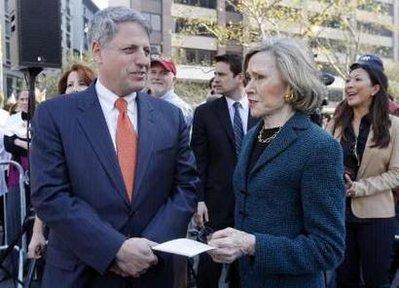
<point x="104" y="24"/>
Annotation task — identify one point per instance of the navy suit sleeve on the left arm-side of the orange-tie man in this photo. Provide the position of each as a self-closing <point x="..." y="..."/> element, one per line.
<point x="91" y="240"/>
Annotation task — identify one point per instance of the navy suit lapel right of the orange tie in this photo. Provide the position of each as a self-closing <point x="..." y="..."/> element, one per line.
<point x="146" y="132"/>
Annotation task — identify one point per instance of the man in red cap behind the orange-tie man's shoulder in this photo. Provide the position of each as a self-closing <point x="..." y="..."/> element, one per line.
<point x="162" y="78"/>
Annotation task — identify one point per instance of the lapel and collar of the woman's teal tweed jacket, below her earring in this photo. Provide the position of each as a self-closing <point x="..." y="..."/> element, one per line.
<point x="284" y="139"/>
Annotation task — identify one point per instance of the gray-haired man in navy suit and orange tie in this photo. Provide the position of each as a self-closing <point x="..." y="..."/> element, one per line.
<point x="101" y="228"/>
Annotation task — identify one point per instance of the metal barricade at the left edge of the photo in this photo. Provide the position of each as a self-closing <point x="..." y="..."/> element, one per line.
<point x="21" y="248"/>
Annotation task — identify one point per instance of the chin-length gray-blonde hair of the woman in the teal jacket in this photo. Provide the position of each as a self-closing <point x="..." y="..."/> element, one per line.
<point x="297" y="67"/>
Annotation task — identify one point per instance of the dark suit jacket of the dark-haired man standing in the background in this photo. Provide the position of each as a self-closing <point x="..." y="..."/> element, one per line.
<point x="213" y="144"/>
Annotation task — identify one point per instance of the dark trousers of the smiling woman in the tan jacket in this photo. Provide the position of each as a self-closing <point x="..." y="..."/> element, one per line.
<point x="368" y="254"/>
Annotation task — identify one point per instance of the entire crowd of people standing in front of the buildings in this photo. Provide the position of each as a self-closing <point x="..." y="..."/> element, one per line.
<point x="119" y="162"/>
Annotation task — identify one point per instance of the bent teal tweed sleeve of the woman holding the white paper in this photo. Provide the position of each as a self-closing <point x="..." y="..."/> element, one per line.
<point x="320" y="247"/>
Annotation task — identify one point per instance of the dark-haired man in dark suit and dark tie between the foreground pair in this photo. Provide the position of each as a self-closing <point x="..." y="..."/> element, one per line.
<point x="218" y="129"/>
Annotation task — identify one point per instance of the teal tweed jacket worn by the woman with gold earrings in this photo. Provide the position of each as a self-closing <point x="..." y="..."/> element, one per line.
<point x="292" y="200"/>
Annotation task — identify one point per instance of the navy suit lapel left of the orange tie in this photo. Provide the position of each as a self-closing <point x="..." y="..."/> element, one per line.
<point x="93" y="123"/>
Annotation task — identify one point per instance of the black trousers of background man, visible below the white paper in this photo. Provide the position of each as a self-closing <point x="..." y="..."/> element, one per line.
<point x="209" y="273"/>
